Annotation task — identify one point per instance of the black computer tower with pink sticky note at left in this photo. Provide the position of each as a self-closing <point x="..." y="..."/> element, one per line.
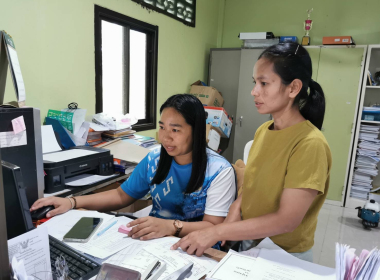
<point x="28" y="157"/>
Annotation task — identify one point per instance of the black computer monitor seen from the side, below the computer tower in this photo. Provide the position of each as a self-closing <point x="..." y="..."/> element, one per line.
<point x="17" y="211"/>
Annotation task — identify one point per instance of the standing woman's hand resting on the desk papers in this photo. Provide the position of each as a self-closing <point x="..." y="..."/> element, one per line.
<point x="197" y="241"/>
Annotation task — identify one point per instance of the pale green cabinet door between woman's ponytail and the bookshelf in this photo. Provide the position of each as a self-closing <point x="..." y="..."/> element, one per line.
<point x="339" y="74"/>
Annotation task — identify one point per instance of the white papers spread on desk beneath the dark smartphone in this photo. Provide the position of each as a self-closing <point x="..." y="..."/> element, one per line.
<point x="117" y="248"/>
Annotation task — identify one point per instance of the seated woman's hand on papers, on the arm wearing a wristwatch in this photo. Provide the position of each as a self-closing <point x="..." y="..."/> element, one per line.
<point x="149" y="228"/>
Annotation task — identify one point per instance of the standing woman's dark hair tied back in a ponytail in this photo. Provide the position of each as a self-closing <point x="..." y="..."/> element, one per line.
<point x="292" y="61"/>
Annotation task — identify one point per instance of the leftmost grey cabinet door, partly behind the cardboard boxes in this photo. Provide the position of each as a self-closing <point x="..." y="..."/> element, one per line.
<point x="224" y="76"/>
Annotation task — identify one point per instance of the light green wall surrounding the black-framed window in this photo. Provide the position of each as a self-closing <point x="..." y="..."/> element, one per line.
<point x="55" y="44"/>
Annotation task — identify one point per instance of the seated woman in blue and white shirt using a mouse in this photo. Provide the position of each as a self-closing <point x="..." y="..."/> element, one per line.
<point x="191" y="186"/>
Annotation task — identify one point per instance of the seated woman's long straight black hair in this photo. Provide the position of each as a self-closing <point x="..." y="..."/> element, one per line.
<point x="194" y="114"/>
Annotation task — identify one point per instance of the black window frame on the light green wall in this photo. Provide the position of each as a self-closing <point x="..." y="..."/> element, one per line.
<point x="151" y="64"/>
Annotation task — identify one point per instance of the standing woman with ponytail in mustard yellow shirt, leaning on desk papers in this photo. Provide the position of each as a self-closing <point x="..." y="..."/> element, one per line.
<point x="288" y="170"/>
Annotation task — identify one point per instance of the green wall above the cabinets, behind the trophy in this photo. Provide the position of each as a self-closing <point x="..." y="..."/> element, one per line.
<point x="360" y="19"/>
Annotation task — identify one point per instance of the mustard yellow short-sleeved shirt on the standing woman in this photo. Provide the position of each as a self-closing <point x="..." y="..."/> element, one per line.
<point x="295" y="157"/>
